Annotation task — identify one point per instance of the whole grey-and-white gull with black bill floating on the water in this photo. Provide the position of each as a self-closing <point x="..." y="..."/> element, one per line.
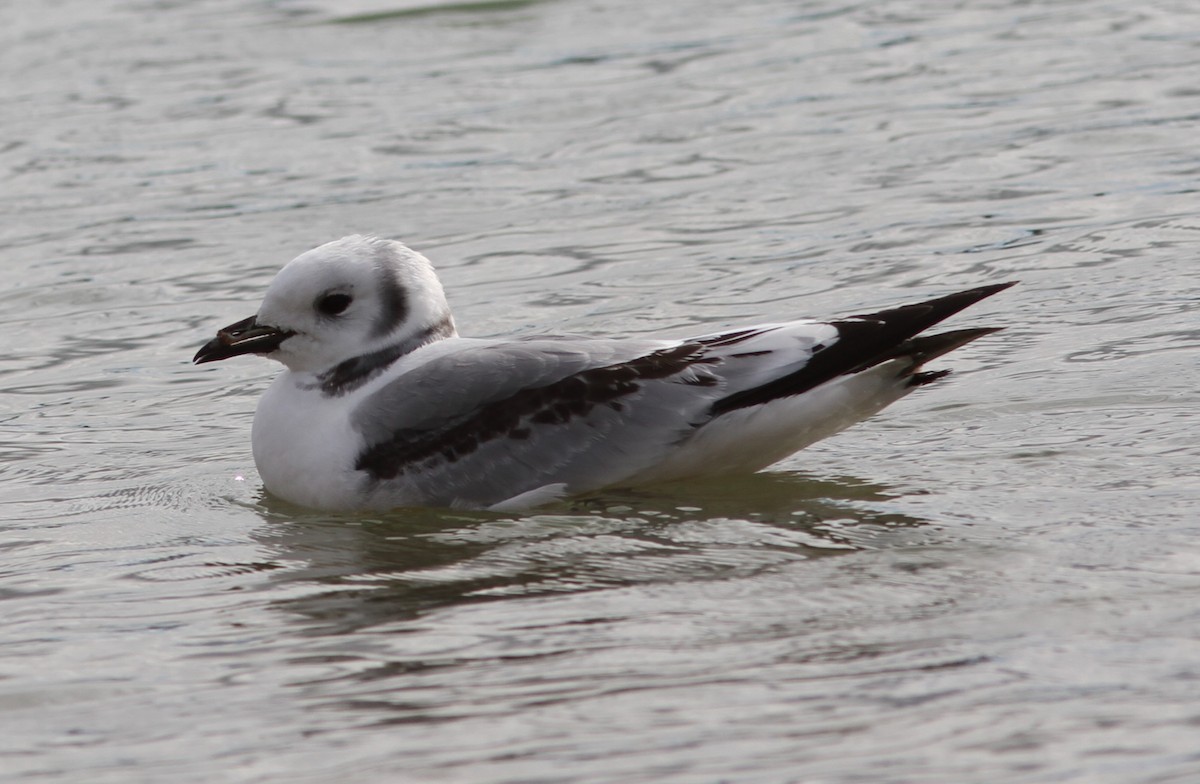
<point x="382" y="405"/>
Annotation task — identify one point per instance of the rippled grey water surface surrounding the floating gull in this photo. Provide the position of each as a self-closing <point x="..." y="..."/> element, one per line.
<point x="995" y="580"/>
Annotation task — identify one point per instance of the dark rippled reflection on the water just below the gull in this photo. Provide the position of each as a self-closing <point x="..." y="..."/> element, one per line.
<point x="353" y="572"/>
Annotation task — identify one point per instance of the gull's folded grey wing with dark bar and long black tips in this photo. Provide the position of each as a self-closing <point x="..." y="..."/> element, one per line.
<point x="490" y="422"/>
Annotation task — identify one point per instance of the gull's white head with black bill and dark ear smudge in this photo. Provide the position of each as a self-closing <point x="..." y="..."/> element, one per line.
<point x="349" y="298"/>
